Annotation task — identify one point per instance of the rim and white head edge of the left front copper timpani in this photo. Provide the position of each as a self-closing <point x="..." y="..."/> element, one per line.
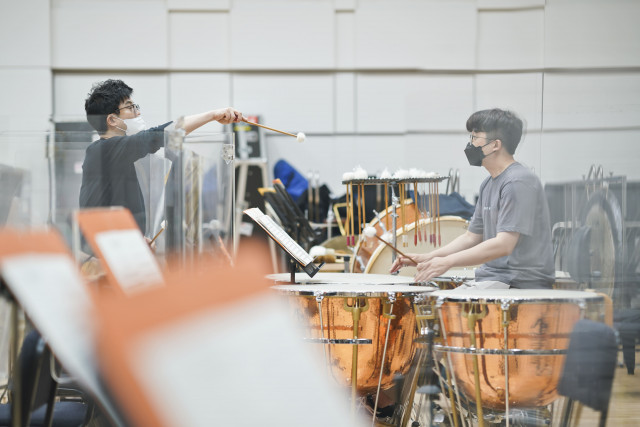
<point x="354" y="290"/>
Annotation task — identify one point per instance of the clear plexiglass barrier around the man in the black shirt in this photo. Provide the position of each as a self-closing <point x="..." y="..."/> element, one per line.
<point x="180" y="184"/>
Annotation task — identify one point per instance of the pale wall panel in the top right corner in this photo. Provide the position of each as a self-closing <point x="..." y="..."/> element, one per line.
<point x="603" y="33"/>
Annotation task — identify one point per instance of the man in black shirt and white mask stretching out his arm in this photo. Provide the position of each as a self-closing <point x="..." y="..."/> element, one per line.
<point x="108" y="172"/>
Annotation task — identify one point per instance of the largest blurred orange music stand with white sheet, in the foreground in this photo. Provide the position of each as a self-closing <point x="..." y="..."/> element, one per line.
<point x="187" y="354"/>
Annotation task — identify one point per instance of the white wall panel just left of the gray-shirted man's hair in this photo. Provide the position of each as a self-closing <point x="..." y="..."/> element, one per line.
<point x="409" y="102"/>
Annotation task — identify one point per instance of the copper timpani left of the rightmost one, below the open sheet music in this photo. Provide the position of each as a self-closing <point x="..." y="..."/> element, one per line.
<point x="350" y="321"/>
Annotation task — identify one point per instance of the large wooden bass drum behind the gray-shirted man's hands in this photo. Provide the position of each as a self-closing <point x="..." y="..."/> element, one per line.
<point x="376" y="257"/>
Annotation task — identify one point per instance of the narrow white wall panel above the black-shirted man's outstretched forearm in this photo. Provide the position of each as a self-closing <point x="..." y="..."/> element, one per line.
<point x="193" y="93"/>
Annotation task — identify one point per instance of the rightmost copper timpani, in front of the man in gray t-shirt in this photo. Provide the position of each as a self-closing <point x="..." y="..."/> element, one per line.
<point x="506" y="347"/>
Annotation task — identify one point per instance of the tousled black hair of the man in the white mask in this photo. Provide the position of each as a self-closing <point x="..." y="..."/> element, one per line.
<point x="104" y="99"/>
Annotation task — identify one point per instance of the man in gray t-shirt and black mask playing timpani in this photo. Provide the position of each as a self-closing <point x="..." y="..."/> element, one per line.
<point x="510" y="231"/>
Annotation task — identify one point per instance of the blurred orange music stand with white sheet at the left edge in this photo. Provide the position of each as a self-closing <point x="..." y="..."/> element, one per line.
<point x="38" y="270"/>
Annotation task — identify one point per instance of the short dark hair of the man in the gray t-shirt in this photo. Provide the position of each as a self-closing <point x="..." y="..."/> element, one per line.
<point x="498" y="124"/>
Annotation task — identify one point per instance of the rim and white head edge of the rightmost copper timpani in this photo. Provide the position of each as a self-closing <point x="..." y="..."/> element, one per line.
<point x="521" y="296"/>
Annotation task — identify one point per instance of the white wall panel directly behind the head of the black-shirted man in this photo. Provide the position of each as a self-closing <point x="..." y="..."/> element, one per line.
<point x="149" y="91"/>
